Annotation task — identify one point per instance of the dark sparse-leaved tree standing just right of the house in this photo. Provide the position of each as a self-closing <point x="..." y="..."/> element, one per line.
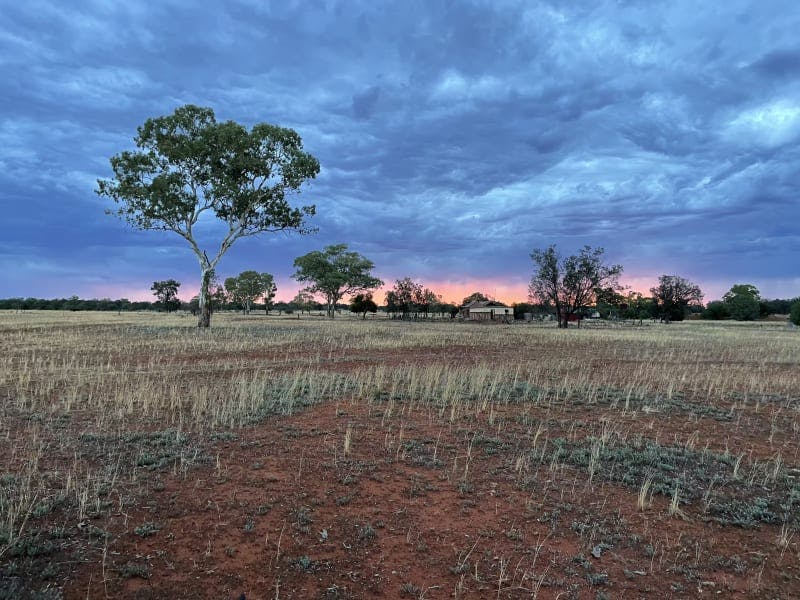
<point x="570" y="283"/>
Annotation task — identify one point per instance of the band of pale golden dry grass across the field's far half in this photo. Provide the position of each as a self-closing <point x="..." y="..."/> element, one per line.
<point x="151" y="365"/>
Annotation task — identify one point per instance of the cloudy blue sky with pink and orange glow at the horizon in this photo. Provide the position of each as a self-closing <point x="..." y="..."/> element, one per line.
<point x="454" y="137"/>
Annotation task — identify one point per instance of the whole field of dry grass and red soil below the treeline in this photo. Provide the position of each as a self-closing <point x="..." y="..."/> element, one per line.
<point x="273" y="457"/>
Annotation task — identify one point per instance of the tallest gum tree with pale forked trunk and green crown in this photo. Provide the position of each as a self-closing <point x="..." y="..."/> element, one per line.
<point x="187" y="165"/>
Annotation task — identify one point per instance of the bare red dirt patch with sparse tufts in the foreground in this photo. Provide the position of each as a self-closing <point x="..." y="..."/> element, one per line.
<point x="281" y="512"/>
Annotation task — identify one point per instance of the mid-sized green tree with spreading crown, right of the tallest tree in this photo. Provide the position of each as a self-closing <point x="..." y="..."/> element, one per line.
<point x="334" y="273"/>
